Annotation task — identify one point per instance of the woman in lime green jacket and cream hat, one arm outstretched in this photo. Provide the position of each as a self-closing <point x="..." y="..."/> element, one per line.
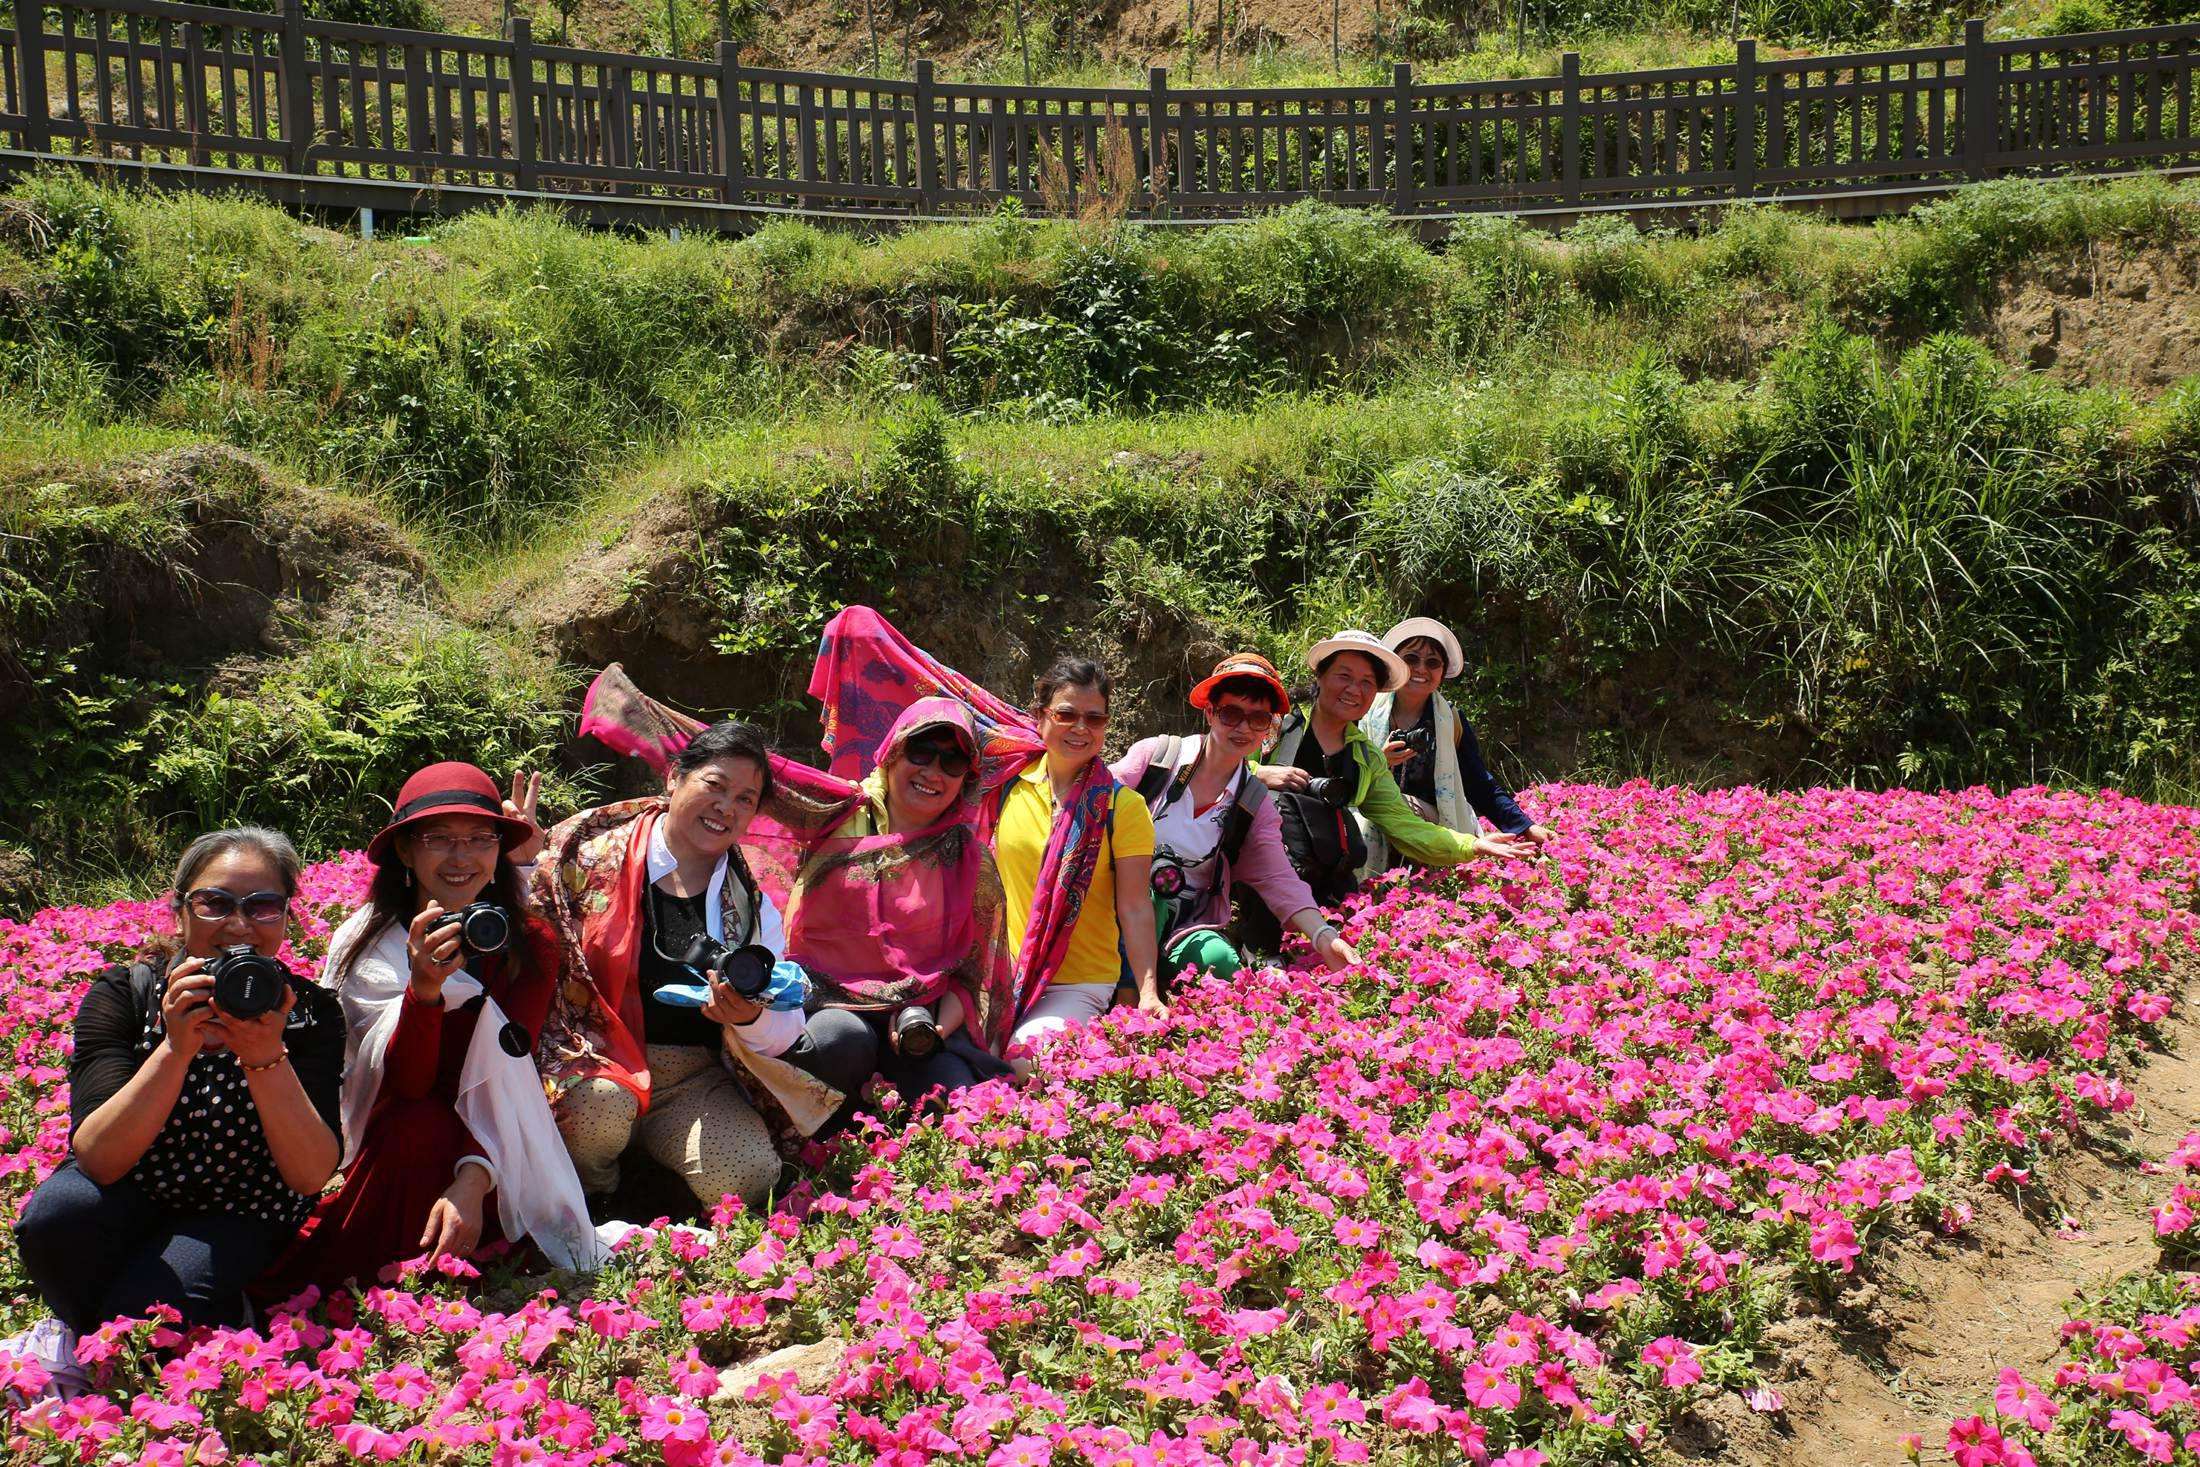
<point x="1330" y="771"/>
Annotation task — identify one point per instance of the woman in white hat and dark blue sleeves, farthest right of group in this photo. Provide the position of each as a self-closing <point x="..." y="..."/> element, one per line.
<point x="1433" y="751"/>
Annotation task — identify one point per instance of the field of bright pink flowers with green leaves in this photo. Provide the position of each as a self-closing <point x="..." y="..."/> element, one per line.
<point x="1526" y="1189"/>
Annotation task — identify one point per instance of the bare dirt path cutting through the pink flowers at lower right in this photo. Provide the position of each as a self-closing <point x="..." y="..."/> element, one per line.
<point x="1926" y="1336"/>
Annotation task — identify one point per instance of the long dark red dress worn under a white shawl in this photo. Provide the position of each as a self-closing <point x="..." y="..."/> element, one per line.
<point x="415" y="1136"/>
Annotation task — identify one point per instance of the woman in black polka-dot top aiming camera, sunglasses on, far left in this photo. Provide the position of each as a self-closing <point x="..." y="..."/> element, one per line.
<point x="203" y="1105"/>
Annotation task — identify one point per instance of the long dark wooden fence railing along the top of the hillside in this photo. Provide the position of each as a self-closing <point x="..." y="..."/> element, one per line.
<point x="410" y="120"/>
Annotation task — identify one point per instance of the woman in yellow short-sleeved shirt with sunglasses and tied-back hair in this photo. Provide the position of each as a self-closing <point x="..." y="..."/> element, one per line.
<point x="1075" y="852"/>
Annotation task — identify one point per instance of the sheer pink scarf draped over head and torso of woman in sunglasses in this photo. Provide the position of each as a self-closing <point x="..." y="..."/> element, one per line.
<point x="879" y="920"/>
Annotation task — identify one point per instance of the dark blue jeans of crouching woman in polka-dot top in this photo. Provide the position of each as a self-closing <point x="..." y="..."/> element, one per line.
<point x="98" y="1253"/>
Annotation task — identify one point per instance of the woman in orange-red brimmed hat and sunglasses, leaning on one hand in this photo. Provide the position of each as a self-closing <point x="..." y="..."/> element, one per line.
<point x="1218" y="826"/>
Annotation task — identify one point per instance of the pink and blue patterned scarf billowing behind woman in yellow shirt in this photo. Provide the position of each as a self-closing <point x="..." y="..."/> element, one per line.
<point x="868" y="672"/>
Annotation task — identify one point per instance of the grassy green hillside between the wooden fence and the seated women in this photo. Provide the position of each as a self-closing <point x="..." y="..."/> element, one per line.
<point x="1783" y="500"/>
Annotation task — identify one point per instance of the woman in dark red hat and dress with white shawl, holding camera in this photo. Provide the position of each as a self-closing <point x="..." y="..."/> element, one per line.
<point x="445" y="980"/>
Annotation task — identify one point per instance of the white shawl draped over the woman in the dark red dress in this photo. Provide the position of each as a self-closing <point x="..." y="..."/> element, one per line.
<point x="498" y="1094"/>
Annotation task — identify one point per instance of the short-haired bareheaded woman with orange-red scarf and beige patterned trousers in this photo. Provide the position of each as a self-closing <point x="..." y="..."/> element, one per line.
<point x="676" y="1024"/>
